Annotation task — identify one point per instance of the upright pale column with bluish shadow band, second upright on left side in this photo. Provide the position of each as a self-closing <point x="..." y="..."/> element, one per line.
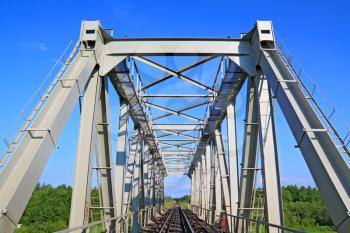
<point x="121" y="160"/>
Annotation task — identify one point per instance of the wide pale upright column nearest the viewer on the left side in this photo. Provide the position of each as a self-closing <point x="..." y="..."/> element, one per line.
<point x="80" y="204"/>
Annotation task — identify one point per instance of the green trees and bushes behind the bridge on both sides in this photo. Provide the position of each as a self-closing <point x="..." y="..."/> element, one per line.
<point x="49" y="207"/>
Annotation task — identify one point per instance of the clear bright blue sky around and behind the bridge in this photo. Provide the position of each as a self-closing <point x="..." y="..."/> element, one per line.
<point x="34" y="33"/>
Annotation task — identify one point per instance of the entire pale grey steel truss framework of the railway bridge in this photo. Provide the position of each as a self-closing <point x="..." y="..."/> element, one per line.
<point x="155" y="150"/>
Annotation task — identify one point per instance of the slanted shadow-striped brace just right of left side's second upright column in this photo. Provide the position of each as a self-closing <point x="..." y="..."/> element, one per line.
<point x="128" y="180"/>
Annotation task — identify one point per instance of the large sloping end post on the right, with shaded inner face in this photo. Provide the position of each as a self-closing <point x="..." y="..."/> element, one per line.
<point x="323" y="158"/>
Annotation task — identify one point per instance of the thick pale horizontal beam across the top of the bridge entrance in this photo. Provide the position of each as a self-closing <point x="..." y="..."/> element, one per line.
<point x="177" y="47"/>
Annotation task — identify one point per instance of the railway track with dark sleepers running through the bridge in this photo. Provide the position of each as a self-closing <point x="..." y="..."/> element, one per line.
<point x="180" y="220"/>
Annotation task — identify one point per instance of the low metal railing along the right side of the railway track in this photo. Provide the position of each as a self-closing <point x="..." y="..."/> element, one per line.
<point x="247" y="224"/>
